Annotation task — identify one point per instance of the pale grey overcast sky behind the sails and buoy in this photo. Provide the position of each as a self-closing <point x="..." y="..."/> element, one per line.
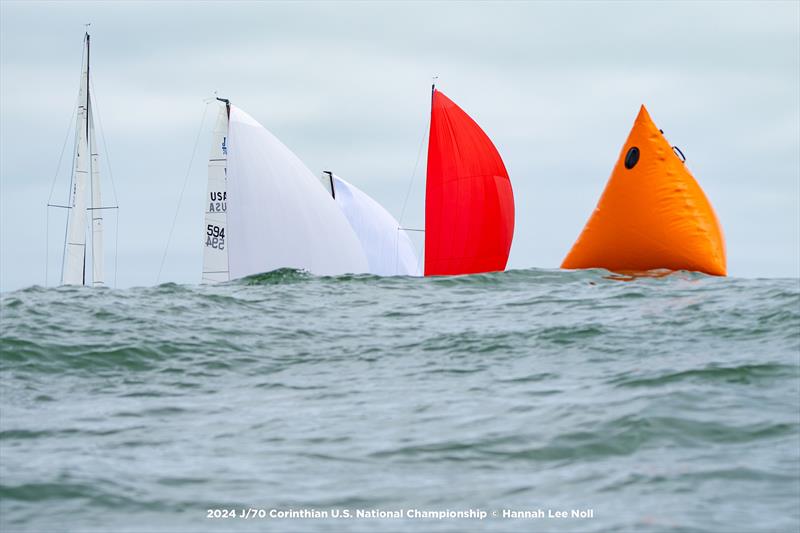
<point x="347" y="87"/>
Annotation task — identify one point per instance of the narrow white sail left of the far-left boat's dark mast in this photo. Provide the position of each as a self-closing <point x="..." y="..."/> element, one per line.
<point x="75" y="242"/>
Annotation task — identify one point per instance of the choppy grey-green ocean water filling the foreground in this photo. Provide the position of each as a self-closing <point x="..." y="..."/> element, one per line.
<point x="652" y="404"/>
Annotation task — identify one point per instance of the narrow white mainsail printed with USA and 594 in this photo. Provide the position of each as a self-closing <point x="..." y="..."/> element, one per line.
<point x="215" y="253"/>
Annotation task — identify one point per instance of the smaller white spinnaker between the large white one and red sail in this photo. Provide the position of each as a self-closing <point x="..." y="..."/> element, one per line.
<point x="389" y="249"/>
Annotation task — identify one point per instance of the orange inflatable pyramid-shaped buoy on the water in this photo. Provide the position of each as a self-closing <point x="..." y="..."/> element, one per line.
<point x="652" y="214"/>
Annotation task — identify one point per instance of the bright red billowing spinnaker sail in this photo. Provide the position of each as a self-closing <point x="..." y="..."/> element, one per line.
<point x="469" y="204"/>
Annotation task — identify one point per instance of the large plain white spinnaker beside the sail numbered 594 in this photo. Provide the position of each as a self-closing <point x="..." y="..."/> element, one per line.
<point x="278" y="215"/>
